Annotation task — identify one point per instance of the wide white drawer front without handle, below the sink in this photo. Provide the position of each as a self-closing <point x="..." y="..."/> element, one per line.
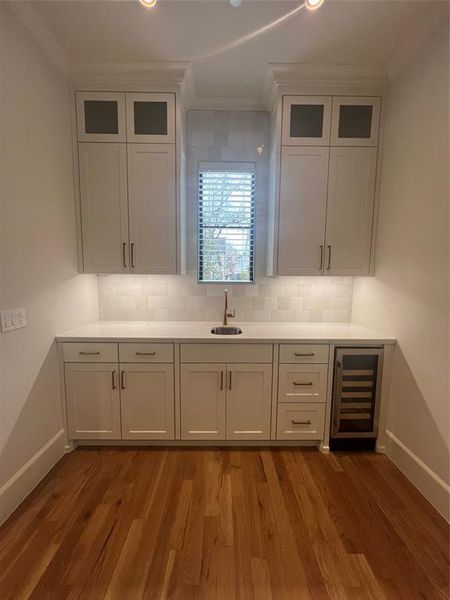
<point x="231" y="353"/>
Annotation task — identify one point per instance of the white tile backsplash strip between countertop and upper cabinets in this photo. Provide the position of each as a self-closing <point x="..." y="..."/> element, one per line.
<point x="181" y="298"/>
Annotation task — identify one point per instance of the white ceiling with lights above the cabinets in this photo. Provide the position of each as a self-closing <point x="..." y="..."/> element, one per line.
<point x="341" y="31"/>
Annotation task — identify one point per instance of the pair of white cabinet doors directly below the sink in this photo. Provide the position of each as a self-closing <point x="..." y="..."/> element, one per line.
<point x="220" y="401"/>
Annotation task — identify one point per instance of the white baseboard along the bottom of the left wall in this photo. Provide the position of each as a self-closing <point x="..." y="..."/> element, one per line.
<point x="20" y="485"/>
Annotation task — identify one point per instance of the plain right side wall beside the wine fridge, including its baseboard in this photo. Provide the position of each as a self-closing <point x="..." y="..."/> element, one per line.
<point x="409" y="295"/>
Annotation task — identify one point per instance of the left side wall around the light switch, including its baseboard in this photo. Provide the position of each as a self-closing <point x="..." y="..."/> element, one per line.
<point x="37" y="258"/>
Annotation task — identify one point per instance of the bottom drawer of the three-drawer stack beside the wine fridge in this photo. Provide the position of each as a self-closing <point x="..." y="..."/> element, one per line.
<point x="300" y="421"/>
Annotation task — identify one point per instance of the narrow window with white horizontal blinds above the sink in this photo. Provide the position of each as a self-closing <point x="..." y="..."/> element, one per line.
<point x="226" y="223"/>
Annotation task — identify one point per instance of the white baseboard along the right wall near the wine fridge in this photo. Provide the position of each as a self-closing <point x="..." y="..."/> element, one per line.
<point x="435" y="489"/>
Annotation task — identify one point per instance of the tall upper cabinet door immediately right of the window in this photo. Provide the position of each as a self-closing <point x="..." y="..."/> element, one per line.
<point x="303" y="202"/>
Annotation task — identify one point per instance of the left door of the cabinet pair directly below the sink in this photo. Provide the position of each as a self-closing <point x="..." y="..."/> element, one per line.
<point x="203" y="401"/>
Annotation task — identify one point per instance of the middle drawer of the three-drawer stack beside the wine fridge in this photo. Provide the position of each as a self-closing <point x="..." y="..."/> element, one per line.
<point x="302" y="383"/>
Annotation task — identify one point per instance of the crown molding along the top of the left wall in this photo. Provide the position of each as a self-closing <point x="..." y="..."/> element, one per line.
<point x="32" y="20"/>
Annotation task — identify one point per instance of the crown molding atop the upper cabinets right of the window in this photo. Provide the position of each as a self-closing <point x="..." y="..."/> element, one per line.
<point x="298" y="78"/>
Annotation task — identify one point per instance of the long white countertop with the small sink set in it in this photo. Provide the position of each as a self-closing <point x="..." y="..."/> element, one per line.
<point x="199" y="331"/>
